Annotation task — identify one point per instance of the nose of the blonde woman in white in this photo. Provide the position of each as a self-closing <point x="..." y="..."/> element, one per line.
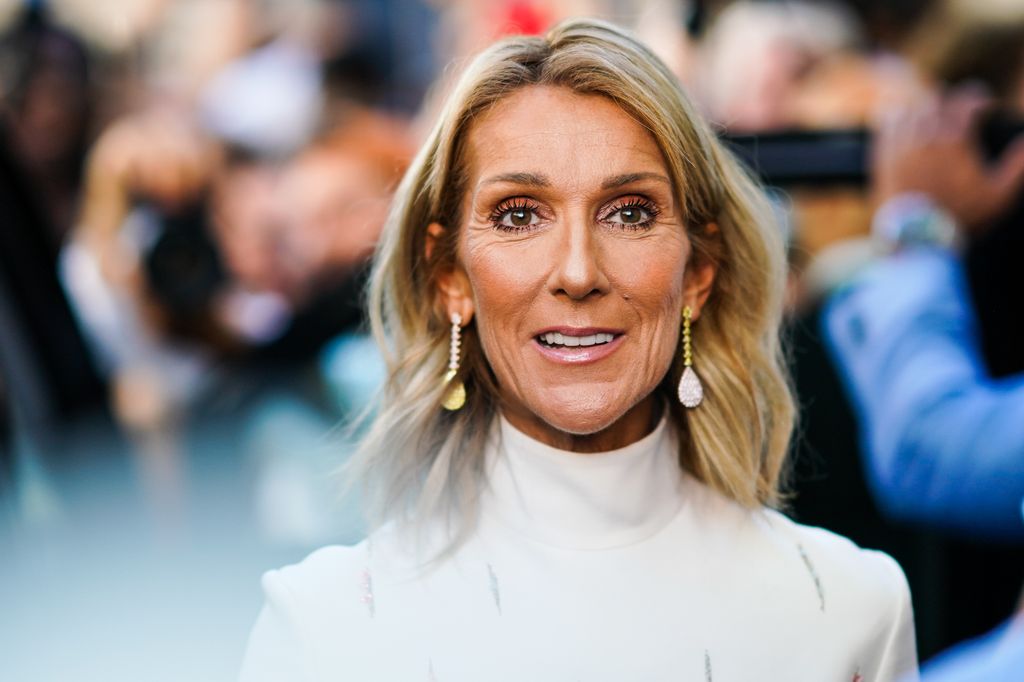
<point x="579" y="271"/>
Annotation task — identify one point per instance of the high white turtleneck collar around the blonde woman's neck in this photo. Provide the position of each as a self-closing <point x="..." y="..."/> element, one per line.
<point x="583" y="501"/>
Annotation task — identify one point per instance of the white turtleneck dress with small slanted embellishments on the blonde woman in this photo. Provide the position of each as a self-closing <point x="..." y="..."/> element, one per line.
<point x="602" y="568"/>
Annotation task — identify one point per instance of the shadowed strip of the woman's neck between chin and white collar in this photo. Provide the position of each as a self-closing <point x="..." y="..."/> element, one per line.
<point x="629" y="429"/>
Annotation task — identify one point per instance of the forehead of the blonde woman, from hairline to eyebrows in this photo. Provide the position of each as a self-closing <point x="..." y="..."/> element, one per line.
<point x="569" y="137"/>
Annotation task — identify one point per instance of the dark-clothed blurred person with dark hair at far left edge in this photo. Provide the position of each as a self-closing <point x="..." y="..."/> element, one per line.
<point x="45" y="122"/>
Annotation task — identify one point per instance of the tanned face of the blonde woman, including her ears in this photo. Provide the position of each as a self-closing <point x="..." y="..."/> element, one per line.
<point x="573" y="260"/>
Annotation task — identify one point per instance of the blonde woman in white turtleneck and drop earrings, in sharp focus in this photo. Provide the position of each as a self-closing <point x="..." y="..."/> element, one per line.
<point x="571" y="483"/>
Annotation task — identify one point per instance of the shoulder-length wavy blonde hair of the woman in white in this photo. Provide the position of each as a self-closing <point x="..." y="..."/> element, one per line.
<point x="419" y="461"/>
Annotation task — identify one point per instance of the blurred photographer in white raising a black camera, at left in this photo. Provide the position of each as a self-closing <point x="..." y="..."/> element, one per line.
<point x="143" y="170"/>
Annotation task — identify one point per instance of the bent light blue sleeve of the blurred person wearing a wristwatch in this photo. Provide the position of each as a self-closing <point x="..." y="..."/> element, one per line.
<point x="945" y="442"/>
